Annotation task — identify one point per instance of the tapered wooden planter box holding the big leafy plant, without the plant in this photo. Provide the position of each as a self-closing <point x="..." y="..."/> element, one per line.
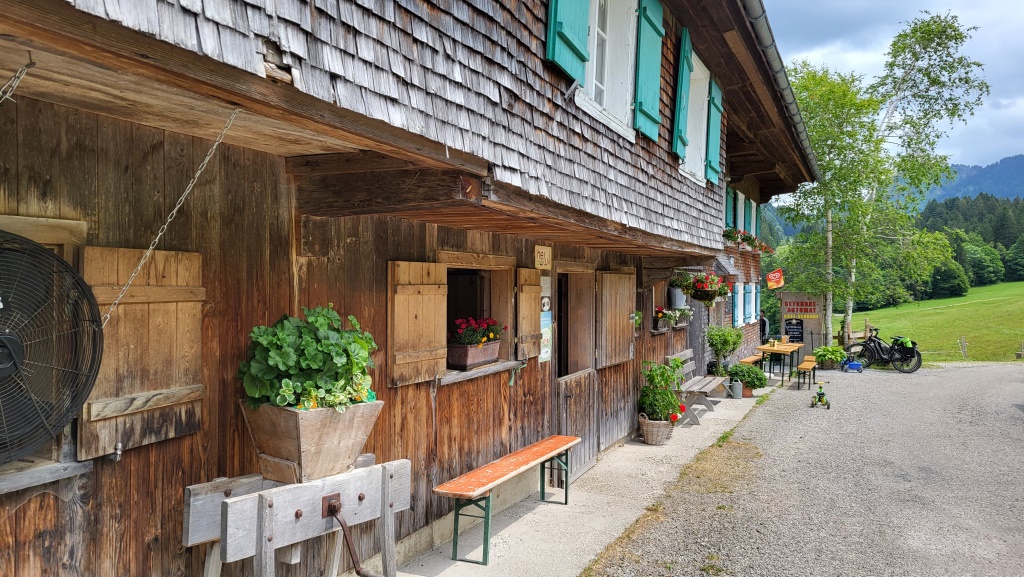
<point x="301" y="445"/>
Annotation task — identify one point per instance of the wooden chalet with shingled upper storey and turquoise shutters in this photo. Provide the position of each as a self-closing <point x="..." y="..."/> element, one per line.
<point x="491" y="152"/>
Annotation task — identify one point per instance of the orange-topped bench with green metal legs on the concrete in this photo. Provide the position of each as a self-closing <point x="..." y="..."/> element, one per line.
<point x="474" y="488"/>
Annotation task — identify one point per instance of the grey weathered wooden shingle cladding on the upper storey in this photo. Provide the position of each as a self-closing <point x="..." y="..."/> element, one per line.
<point x="471" y="75"/>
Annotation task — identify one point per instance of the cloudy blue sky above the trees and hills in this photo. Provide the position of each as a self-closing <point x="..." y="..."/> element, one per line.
<point x="854" y="36"/>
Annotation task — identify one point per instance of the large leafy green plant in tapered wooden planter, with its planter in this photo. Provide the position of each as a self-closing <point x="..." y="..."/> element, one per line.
<point x="309" y="405"/>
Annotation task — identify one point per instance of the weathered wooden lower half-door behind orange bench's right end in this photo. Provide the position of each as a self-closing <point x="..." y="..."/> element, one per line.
<point x="580" y="419"/>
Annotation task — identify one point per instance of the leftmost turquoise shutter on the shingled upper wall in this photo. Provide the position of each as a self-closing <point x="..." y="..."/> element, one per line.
<point x="569" y="25"/>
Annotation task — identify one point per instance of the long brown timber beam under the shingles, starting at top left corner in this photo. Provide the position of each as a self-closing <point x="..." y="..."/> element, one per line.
<point x="56" y="25"/>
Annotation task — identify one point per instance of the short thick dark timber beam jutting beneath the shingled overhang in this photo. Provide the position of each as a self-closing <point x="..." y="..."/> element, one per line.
<point x="378" y="193"/>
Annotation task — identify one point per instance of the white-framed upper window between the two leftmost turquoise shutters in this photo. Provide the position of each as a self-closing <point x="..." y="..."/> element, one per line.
<point x="609" y="92"/>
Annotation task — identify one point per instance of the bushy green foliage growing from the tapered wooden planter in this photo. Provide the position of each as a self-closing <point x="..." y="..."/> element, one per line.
<point x="310" y="363"/>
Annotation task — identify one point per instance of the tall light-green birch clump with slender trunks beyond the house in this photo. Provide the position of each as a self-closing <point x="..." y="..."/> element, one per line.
<point x="877" y="145"/>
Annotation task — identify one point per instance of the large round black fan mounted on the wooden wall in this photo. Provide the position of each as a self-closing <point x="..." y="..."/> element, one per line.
<point x="52" y="342"/>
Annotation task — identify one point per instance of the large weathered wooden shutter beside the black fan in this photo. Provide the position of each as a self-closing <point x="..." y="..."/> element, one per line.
<point x="149" y="388"/>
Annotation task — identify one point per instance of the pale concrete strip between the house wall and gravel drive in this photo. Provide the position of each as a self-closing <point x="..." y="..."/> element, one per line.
<point x="550" y="540"/>
